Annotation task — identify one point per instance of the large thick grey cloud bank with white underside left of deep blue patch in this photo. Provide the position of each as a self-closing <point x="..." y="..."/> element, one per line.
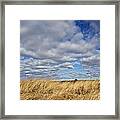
<point x="53" y="40"/>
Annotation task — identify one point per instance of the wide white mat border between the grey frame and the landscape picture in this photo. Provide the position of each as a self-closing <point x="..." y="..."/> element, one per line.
<point x="15" y="13"/>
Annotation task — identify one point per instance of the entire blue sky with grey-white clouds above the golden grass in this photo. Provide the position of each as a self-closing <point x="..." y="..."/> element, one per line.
<point x="60" y="49"/>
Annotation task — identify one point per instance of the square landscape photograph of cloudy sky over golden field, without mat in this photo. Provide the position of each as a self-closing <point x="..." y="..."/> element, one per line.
<point x="59" y="59"/>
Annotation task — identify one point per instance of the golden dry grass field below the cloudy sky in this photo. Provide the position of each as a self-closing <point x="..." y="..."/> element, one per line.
<point x="59" y="90"/>
